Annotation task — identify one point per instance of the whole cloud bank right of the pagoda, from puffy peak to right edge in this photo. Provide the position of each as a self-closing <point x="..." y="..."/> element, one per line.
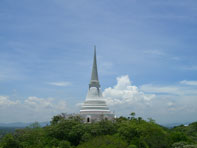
<point x="166" y="104"/>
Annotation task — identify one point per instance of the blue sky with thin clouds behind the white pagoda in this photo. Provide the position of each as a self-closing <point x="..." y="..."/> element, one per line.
<point x="46" y="53"/>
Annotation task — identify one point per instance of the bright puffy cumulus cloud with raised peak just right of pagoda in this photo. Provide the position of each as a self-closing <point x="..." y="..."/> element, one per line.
<point x="123" y="92"/>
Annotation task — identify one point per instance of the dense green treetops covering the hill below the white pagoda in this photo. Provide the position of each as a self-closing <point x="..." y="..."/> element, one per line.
<point x="121" y="133"/>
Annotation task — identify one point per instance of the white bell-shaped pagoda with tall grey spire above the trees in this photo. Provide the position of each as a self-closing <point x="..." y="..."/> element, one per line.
<point x="95" y="108"/>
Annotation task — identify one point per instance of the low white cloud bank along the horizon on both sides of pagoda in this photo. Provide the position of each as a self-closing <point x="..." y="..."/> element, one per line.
<point x="164" y="103"/>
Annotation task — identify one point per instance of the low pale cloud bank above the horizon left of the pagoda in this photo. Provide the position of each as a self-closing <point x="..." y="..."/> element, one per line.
<point x="31" y="109"/>
